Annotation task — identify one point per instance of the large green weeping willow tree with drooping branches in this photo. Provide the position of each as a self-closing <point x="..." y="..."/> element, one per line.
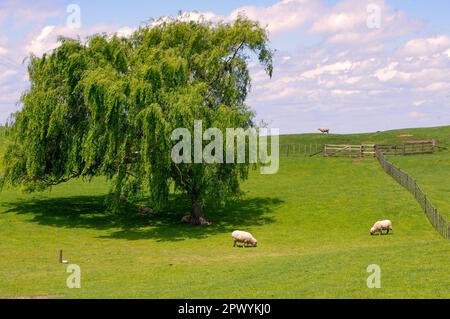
<point x="108" y="106"/>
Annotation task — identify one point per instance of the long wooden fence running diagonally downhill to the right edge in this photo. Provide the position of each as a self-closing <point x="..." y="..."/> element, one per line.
<point x="436" y="219"/>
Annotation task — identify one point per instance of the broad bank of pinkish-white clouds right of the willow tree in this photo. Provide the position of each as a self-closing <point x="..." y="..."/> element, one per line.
<point x="360" y="73"/>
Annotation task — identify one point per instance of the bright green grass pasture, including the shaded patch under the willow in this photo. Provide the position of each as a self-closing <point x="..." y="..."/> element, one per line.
<point x="312" y="221"/>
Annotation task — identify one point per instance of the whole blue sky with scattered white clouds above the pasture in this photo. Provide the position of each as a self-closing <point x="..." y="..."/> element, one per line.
<point x="332" y="69"/>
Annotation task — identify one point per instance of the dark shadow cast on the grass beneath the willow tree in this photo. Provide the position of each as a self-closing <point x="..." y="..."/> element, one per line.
<point x="90" y="212"/>
